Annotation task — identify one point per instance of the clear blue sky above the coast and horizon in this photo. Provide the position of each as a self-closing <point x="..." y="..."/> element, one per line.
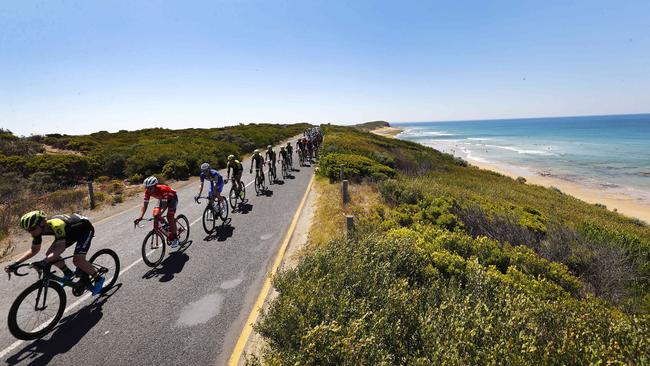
<point x="83" y="66"/>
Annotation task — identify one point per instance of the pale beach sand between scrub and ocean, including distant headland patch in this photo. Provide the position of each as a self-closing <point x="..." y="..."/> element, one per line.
<point x="623" y="203"/>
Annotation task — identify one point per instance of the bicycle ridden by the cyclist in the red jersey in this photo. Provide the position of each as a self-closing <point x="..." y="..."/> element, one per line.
<point x="154" y="243"/>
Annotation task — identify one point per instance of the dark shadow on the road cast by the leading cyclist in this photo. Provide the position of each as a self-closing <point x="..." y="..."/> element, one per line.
<point x="65" y="335"/>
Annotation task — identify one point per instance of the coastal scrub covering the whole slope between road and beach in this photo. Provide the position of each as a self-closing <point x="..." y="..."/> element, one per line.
<point x="457" y="265"/>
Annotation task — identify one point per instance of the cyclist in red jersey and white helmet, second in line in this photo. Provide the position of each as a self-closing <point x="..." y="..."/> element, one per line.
<point x="167" y="200"/>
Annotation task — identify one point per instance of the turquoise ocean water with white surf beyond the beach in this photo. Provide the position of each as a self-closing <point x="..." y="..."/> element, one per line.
<point x="606" y="152"/>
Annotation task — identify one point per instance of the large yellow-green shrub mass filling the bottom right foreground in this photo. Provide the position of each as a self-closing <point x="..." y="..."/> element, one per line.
<point x="385" y="301"/>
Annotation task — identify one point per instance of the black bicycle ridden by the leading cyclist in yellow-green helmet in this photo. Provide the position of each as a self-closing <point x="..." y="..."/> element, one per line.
<point x="45" y="299"/>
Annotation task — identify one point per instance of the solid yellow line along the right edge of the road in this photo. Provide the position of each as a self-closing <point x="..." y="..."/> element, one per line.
<point x="252" y="317"/>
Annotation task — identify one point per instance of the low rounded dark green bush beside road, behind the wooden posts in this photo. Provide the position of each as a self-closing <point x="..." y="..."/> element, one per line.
<point x="355" y="167"/>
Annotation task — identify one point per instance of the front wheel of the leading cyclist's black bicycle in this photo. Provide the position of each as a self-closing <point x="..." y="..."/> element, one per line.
<point x="36" y="310"/>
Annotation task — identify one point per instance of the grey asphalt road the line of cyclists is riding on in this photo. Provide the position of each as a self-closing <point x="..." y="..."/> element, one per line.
<point x="190" y="310"/>
